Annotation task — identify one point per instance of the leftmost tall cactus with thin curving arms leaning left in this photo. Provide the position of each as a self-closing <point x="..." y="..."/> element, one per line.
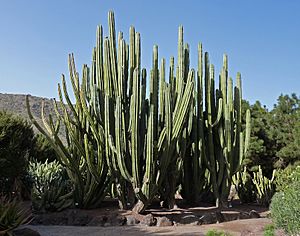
<point x="82" y="152"/>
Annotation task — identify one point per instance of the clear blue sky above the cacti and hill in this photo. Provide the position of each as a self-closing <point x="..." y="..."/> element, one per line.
<point x="261" y="38"/>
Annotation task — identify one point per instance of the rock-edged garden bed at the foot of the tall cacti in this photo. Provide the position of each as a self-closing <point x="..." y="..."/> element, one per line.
<point x="110" y="215"/>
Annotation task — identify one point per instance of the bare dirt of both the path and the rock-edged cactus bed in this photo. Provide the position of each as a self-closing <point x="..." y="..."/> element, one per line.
<point x="244" y="227"/>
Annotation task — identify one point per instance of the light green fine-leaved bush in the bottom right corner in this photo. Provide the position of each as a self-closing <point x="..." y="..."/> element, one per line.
<point x="285" y="208"/>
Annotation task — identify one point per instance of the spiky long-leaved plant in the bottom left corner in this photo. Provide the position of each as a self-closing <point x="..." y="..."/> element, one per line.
<point x="12" y="215"/>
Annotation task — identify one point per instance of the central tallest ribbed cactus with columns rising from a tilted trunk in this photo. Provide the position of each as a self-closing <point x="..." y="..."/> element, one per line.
<point x="140" y="137"/>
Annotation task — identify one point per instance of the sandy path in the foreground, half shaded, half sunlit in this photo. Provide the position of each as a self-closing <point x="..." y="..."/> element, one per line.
<point x="252" y="227"/>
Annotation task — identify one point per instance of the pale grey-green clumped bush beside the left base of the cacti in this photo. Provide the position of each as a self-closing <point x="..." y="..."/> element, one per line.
<point x="51" y="189"/>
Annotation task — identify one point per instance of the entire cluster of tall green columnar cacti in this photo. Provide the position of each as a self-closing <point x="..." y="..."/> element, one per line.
<point x="140" y="146"/>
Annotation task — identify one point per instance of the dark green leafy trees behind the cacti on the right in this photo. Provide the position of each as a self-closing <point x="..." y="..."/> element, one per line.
<point x="275" y="134"/>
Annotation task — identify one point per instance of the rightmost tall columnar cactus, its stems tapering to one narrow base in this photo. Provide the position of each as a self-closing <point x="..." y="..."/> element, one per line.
<point x="226" y="144"/>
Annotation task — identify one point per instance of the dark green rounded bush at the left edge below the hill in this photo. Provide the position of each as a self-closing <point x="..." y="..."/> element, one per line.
<point x="16" y="146"/>
